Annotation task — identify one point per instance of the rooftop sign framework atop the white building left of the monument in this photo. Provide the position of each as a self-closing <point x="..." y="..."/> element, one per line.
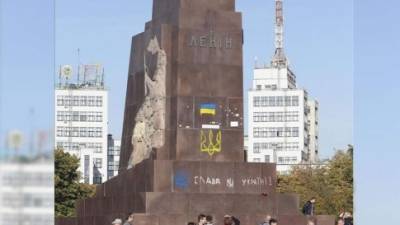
<point x="87" y="76"/>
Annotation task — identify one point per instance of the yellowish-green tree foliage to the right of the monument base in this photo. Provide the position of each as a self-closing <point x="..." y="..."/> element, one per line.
<point x="330" y="184"/>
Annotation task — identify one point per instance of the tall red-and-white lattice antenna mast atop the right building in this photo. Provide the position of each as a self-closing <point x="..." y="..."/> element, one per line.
<point x="279" y="58"/>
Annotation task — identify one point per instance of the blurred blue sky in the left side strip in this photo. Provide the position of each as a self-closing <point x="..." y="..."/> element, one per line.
<point x="26" y="67"/>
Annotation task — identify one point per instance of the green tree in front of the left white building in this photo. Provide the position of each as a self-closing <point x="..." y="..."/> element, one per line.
<point x="67" y="187"/>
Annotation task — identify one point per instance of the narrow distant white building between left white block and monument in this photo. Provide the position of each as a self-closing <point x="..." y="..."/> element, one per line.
<point x="114" y="149"/>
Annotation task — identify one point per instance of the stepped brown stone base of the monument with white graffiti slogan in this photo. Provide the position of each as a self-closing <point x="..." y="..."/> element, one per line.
<point x="169" y="192"/>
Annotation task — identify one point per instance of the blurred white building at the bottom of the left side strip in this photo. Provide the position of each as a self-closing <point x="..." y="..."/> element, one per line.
<point x="27" y="192"/>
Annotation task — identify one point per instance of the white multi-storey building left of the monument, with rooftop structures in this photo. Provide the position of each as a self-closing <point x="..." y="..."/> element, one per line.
<point x="81" y="124"/>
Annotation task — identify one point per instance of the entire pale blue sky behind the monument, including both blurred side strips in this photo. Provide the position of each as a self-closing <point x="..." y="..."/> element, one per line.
<point x="37" y="35"/>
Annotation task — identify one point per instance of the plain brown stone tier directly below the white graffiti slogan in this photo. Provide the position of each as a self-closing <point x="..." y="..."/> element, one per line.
<point x="165" y="203"/>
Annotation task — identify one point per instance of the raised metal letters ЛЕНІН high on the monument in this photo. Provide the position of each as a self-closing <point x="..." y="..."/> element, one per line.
<point x="211" y="40"/>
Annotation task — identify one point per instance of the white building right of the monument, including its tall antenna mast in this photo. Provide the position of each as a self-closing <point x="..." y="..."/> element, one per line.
<point x="283" y="121"/>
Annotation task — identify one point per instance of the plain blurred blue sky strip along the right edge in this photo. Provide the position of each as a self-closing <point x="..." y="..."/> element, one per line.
<point x="377" y="125"/>
